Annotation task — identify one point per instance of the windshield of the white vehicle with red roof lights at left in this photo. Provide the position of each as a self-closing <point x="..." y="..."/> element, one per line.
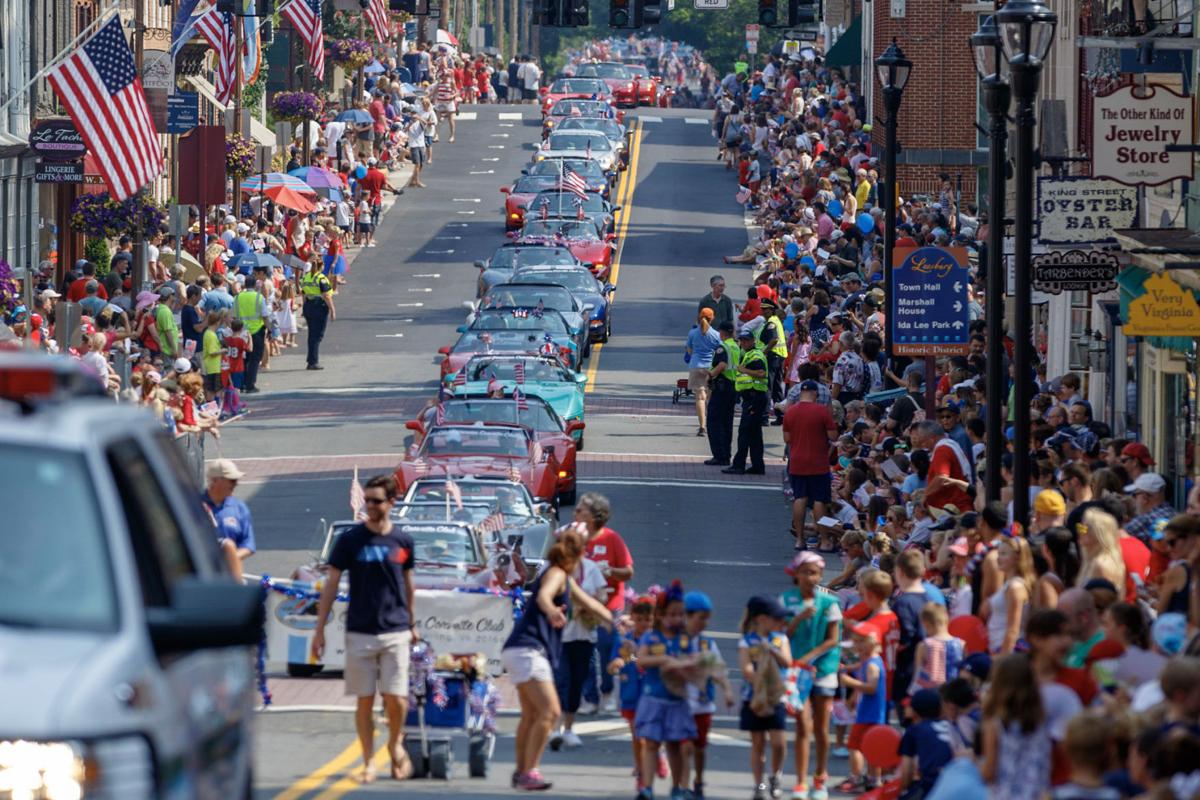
<point x="55" y="556"/>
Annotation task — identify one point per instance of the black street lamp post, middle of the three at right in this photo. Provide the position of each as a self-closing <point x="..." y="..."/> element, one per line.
<point x="993" y="71"/>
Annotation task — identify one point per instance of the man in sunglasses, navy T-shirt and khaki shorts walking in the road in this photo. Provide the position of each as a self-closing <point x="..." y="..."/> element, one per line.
<point x="379" y="622"/>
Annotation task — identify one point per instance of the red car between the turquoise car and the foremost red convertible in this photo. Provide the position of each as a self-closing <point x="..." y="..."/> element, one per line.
<point x="549" y="429"/>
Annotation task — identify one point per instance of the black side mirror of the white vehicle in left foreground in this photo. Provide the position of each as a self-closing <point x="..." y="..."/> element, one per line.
<point x="207" y="615"/>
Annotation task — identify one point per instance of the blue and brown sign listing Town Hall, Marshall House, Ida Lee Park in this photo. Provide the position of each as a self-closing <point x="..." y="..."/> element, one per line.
<point x="929" y="302"/>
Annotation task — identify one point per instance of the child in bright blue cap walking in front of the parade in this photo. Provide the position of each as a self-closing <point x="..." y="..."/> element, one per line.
<point x="703" y="695"/>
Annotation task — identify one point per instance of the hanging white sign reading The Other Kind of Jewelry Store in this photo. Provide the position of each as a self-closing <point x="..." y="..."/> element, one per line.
<point x="1131" y="134"/>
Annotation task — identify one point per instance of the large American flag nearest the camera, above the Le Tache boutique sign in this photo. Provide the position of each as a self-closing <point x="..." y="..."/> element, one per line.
<point x="100" y="88"/>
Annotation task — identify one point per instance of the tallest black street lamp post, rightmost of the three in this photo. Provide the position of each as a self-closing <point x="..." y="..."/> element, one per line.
<point x="1027" y="29"/>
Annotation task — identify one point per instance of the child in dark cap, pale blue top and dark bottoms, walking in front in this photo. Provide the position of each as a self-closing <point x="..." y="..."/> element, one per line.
<point x="764" y="653"/>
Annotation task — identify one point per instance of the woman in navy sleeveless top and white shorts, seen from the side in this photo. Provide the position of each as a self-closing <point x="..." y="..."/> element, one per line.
<point x="535" y="648"/>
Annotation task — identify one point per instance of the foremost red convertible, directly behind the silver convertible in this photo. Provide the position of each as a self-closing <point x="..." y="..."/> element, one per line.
<point x="484" y="449"/>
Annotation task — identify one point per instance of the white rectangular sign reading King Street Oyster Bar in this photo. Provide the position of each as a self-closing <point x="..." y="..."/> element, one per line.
<point x="1084" y="210"/>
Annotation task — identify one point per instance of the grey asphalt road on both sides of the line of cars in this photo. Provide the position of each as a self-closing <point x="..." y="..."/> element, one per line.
<point x="308" y="430"/>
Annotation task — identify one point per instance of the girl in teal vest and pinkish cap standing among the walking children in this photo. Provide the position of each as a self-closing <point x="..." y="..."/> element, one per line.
<point x="814" y="633"/>
